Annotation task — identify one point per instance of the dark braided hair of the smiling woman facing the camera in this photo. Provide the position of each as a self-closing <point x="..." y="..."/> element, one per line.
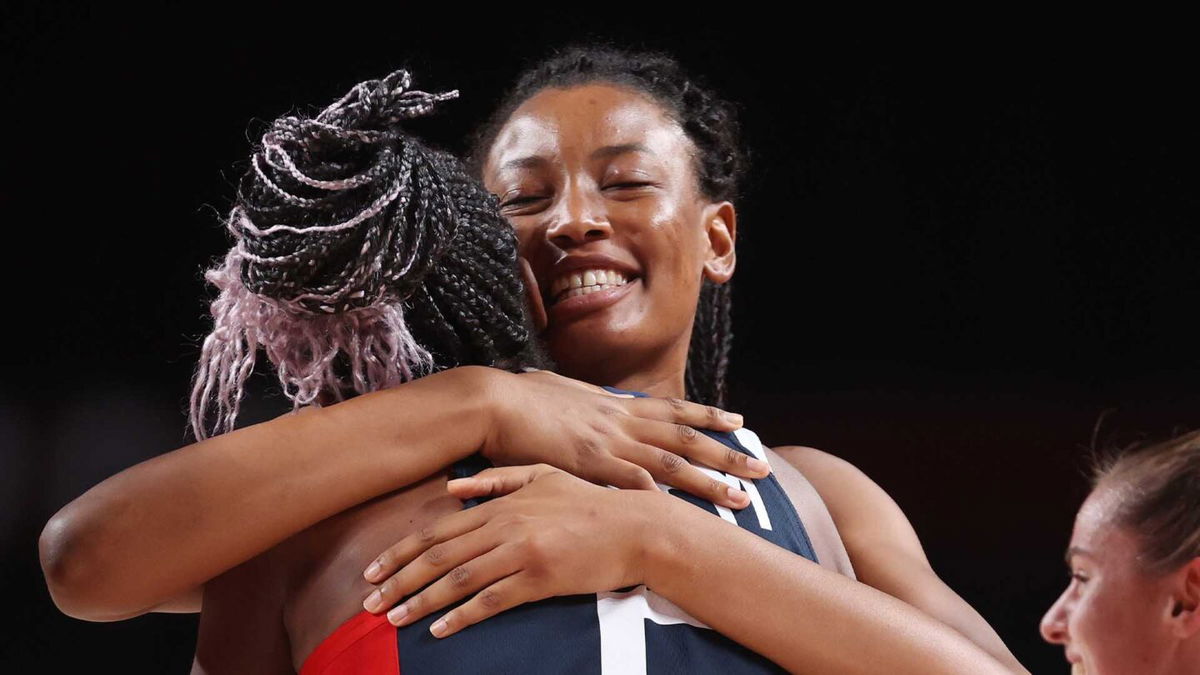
<point x="719" y="162"/>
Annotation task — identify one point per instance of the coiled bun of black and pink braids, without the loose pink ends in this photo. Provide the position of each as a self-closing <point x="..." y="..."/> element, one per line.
<point x="326" y="220"/>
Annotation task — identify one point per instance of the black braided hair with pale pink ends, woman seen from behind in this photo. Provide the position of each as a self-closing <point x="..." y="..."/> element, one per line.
<point x="363" y="259"/>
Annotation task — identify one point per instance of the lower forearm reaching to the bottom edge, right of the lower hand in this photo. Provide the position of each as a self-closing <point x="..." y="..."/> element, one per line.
<point x="784" y="607"/>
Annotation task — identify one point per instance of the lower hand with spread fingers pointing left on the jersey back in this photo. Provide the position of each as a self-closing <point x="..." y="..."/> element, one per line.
<point x="555" y="535"/>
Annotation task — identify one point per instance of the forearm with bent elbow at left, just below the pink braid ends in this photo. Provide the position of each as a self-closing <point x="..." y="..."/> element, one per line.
<point x="175" y="522"/>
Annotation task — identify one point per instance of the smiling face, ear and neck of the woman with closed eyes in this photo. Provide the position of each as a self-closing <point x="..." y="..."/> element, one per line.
<point x="602" y="189"/>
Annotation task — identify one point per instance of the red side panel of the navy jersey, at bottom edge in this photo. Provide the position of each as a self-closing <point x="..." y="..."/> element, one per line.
<point x="364" y="644"/>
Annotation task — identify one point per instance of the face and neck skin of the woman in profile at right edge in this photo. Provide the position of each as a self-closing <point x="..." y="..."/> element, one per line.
<point x="1114" y="618"/>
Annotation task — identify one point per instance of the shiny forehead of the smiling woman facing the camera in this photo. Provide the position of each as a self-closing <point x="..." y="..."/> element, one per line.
<point x="583" y="123"/>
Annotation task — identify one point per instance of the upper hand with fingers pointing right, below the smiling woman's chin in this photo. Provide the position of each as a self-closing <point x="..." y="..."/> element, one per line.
<point x="611" y="439"/>
